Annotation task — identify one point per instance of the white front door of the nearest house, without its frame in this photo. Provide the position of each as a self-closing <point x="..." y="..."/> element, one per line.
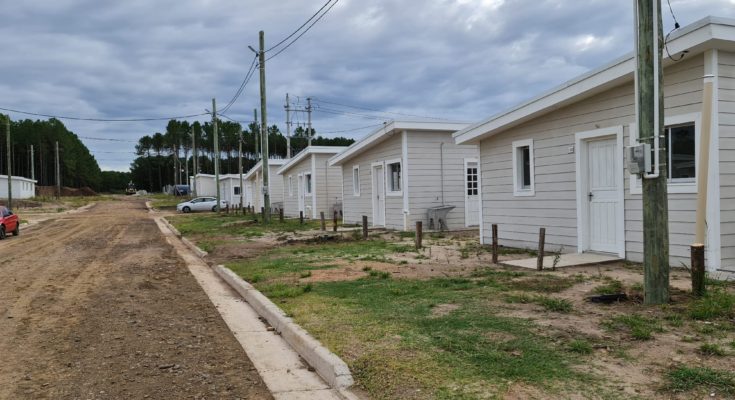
<point x="603" y="195"/>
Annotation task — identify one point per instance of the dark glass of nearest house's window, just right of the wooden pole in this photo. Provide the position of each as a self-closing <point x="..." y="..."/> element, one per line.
<point x="680" y="152"/>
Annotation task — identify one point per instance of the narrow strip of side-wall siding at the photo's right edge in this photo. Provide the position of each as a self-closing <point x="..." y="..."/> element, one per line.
<point x="726" y="94"/>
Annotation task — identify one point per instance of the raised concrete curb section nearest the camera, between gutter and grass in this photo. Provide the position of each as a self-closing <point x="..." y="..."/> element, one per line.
<point x="330" y="367"/>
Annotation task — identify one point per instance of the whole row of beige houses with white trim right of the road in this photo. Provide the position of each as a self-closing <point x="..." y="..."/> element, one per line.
<point x="556" y="161"/>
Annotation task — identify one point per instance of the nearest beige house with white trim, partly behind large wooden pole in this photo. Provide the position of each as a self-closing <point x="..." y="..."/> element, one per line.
<point x="557" y="160"/>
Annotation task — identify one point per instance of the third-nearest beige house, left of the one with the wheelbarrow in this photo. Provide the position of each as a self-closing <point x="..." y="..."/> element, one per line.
<point x="310" y="185"/>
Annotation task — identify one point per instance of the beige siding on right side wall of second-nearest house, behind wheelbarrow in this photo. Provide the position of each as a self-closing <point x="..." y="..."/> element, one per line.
<point x="424" y="180"/>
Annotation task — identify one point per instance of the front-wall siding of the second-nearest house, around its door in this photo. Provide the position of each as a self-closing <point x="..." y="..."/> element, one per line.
<point x="357" y="206"/>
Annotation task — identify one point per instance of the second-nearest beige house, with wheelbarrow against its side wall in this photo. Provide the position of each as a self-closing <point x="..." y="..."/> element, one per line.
<point x="400" y="172"/>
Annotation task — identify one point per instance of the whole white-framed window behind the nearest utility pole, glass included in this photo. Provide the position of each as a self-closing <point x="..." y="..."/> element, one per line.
<point x="681" y="142"/>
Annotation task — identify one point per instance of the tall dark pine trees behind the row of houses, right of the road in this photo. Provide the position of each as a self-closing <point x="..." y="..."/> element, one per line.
<point x="167" y="158"/>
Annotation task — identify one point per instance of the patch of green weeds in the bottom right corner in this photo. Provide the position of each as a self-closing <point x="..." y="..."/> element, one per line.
<point x="685" y="379"/>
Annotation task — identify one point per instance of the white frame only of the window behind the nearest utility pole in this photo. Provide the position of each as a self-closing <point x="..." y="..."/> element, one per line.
<point x="685" y="185"/>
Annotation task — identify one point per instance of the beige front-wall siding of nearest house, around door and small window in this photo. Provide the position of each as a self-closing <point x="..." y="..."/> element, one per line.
<point x="554" y="204"/>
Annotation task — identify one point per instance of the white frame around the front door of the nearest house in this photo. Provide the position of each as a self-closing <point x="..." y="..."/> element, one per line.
<point x="582" y="178"/>
